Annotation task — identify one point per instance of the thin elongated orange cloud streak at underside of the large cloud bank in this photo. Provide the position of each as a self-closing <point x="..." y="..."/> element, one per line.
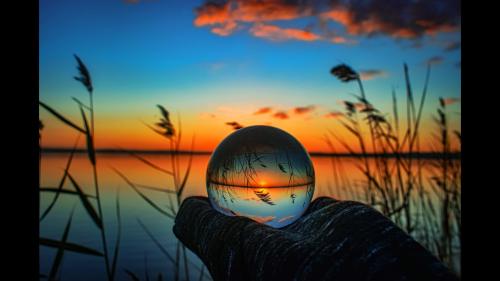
<point x="276" y="33"/>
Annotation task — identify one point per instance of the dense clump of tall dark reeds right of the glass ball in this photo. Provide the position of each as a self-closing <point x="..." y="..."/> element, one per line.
<point x="396" y="187"/>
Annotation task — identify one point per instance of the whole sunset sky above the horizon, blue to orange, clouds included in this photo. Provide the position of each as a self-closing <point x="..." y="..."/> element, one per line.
<point x="253" y="62"/>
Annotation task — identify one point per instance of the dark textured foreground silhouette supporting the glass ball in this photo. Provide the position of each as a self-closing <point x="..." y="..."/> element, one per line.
<point x="333" y="240"/>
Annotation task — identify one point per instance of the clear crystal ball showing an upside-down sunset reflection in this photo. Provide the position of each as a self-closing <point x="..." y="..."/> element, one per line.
<point x="263" y="173"/>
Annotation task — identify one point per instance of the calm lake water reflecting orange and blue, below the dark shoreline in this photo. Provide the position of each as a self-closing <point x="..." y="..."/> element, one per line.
<point x="138" y="253"/>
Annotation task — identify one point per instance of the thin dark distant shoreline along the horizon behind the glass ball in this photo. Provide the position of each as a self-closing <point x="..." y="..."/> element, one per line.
<point x="421" y="155"/>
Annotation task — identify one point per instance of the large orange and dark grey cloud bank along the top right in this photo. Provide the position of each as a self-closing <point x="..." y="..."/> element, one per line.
<point x="394" y="18"/>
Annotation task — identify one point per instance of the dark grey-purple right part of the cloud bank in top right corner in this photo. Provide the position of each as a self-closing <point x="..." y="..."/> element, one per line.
<point x="396" y="18"/>
